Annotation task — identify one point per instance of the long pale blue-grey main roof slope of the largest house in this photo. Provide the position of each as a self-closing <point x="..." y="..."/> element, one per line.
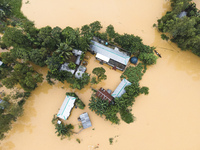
<point x="110" y="53"/>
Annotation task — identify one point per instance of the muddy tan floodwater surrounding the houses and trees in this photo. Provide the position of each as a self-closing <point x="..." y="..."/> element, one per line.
<point x="166" y="119"/>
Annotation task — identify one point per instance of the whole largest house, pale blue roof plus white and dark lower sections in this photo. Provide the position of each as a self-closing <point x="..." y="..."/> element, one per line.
<point x="112" y="57"/>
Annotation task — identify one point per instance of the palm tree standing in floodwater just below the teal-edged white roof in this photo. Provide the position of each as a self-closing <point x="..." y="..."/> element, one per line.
<point x="64" y="130"/>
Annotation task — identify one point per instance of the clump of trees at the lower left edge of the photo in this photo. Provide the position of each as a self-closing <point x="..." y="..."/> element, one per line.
<point x="11" y="107"/>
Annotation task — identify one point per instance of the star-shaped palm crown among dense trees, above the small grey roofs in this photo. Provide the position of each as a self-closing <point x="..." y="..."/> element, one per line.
<point x="64" y="51"/>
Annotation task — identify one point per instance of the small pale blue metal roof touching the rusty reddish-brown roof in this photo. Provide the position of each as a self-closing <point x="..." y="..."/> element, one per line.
<point x="119" y="91"/>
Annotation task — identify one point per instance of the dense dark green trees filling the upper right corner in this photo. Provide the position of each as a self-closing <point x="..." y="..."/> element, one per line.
<point x="185" y="31"/>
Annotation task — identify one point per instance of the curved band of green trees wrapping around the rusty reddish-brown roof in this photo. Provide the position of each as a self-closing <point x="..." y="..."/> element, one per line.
<point x="121" y="104"/>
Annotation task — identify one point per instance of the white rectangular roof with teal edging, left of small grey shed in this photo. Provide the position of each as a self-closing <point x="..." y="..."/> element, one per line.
<point x="66" y="107"/>
